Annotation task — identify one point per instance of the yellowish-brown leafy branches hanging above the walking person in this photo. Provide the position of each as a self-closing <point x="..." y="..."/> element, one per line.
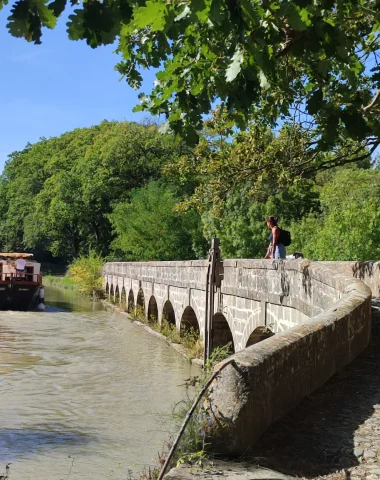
<point x="254" y="163"/>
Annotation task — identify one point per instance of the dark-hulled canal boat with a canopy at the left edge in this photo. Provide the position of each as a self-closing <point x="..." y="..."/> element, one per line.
<point x="20" y="282"/>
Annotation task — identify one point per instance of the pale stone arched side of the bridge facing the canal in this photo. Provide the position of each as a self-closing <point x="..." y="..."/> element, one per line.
<point x="252" y="294"/>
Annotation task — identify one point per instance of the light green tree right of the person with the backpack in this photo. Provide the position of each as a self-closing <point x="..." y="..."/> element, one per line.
<point x="348" y="227"/>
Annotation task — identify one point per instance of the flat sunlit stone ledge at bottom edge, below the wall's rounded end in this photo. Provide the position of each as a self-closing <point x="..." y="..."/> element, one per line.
<point x="225" y="470"/>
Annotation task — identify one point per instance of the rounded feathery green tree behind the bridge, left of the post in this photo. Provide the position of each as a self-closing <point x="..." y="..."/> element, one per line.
<point x="149" y="228"/>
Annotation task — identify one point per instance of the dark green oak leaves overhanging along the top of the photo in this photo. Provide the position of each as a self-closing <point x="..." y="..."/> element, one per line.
<point x="311" y="61"/>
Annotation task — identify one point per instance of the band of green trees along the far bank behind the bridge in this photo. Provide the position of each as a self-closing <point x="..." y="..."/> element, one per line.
<point x="127" y="192"/>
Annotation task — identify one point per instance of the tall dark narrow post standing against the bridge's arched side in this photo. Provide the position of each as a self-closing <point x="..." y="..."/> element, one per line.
<point x="213" y="281"/>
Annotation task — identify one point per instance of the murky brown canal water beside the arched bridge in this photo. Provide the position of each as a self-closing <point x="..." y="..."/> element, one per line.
<point x="84" y="393"/>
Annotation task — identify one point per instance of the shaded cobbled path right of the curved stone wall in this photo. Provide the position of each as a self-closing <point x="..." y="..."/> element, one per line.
<point x="336" y="431"/>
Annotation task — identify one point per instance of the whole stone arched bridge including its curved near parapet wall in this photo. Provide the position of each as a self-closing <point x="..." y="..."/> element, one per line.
<point x="319" y="311"/>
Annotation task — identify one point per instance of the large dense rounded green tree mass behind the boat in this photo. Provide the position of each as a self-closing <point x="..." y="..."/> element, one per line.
<point x="56" y="195"/>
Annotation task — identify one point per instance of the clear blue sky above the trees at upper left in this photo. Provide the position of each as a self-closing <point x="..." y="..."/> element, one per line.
<point x="51" y="88"/>
